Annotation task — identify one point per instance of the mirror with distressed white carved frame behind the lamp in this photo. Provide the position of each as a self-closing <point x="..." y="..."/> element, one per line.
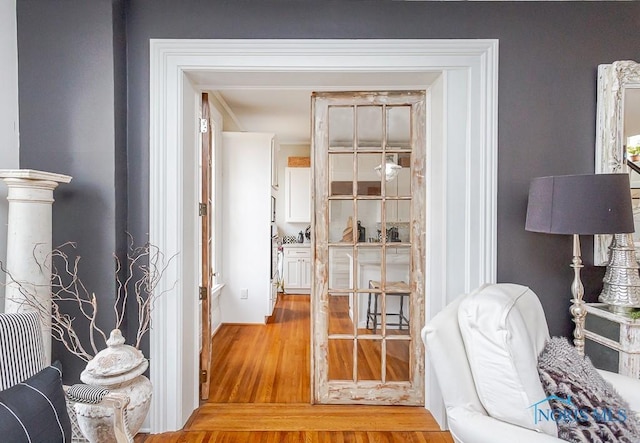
<point x="618" y="138"/>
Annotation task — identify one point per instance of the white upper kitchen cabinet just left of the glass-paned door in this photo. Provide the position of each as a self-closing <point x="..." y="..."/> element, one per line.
<point x="297" y="195"/>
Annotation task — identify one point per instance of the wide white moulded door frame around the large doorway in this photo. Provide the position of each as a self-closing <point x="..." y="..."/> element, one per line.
<point x="461" y="186"/>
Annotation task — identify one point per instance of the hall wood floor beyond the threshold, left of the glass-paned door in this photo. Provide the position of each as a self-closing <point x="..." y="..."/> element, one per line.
<point x="264" y="363"/>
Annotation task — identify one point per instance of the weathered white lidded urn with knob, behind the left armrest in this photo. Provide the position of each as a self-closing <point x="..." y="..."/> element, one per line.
<point x="118" y="368"/>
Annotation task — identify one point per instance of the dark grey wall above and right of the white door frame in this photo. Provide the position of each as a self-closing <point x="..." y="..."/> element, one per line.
<point x="549" y="53"/>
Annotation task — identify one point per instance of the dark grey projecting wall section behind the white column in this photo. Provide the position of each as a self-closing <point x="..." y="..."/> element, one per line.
<point x="69" y="94"/>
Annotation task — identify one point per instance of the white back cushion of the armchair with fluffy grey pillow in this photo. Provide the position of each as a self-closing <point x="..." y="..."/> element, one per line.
<point x="504" y="329"/>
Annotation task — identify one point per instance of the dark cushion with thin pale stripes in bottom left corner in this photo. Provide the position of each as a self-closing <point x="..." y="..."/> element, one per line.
<point x="35" y="410"/>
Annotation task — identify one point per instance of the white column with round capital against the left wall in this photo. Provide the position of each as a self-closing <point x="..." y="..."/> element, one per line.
<point x="30" y="196"/>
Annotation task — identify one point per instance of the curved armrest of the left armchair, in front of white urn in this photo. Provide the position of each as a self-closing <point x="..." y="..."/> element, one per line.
<point x="102" y="397"/>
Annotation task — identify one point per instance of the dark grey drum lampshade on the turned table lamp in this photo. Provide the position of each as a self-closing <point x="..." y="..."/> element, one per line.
<point x="580" y="204"/>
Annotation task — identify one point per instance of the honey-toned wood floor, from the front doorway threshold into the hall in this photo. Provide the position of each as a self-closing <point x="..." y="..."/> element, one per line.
<point x="260" y="392"/>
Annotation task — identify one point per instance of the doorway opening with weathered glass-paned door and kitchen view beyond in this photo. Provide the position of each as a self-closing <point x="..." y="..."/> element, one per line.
<point x="398" y="130"/>
